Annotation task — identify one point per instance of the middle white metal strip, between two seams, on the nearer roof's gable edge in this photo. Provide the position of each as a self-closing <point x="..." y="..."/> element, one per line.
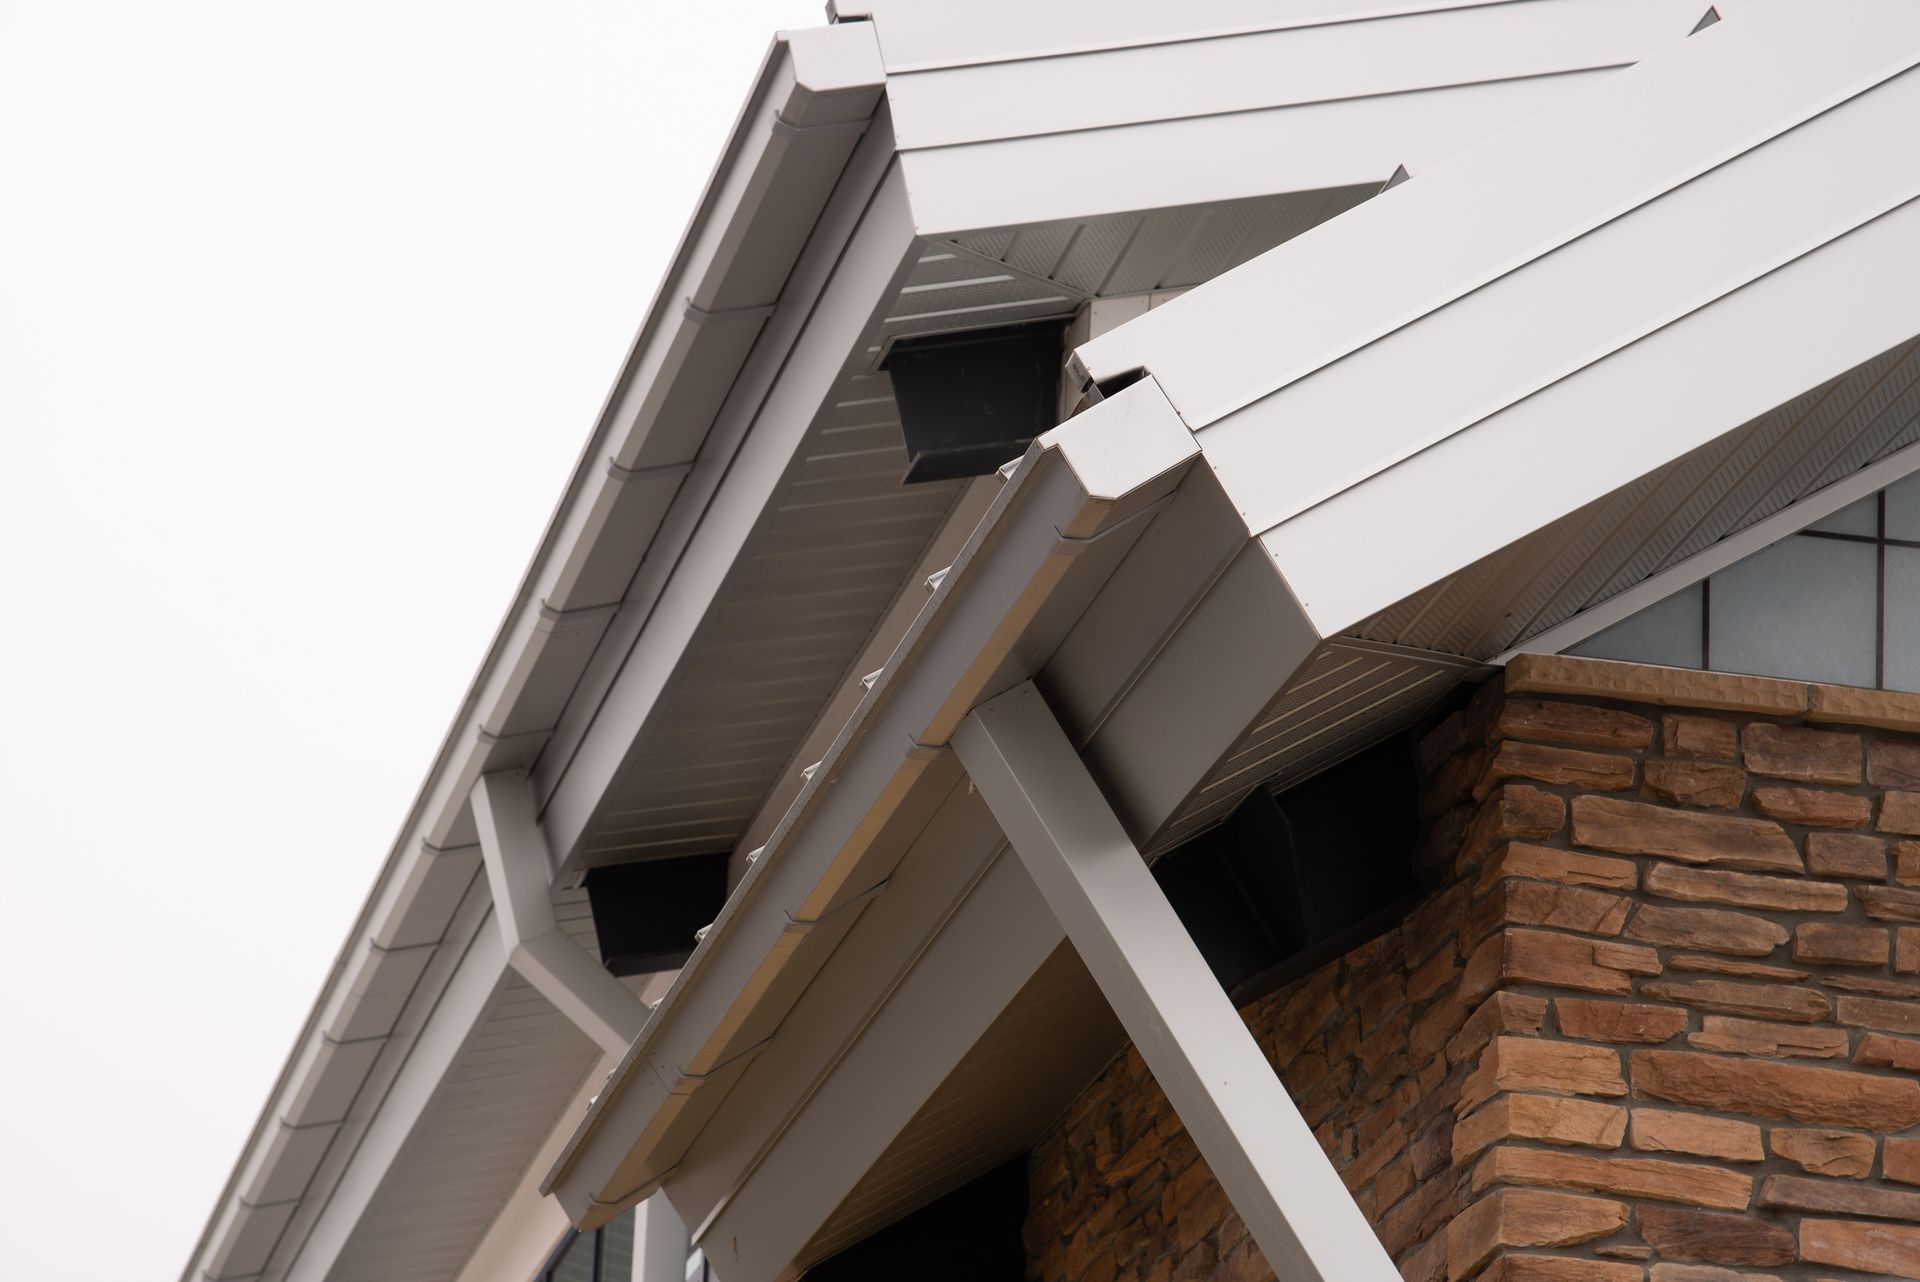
<point x="1606" y="291"/>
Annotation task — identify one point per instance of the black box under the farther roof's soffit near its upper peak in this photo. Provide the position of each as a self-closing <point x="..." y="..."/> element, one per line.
<point x="972" y="402"/>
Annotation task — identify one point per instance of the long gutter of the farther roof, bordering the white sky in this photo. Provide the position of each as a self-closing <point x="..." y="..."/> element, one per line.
<point x="811" y="101"/>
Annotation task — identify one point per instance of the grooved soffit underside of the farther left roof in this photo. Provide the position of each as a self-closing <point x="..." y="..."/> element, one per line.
<point x="842" y="536"/>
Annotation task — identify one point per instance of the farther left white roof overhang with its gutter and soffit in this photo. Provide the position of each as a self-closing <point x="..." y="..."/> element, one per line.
<point x="823" y="237"/>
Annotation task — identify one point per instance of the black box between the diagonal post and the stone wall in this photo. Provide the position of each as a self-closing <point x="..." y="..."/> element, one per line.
<point x="1297" y="878"/>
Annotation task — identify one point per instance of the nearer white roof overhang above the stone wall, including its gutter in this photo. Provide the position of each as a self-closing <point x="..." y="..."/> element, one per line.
<point x="1291" y="504"/>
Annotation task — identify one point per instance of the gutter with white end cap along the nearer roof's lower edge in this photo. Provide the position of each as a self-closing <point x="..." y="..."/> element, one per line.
<point x="840" y="838"/>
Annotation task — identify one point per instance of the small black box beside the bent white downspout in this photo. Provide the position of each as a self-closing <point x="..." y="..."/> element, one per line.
<point x="646" y="914"/>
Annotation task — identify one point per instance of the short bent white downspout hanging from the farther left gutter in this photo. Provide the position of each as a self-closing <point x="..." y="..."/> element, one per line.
<point x="519" y="868"/>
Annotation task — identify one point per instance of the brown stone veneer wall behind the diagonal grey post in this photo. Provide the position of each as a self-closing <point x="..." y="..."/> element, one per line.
<point x="1654" y="1026"/>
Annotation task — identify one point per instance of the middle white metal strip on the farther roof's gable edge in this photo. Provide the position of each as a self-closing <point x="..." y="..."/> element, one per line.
<point x="1285" y="68"/>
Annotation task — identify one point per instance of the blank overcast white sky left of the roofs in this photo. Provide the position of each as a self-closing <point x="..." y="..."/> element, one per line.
<point x="304" y="318"/>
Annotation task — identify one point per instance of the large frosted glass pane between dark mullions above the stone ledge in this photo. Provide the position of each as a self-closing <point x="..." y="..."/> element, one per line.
<point x="1800" y="609"/>
